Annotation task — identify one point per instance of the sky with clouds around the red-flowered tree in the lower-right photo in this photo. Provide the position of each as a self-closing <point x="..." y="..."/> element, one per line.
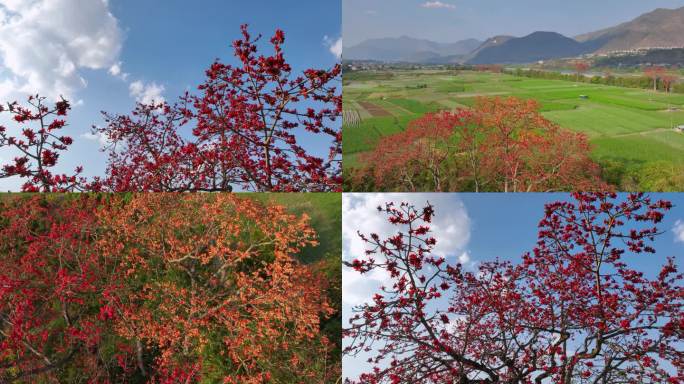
<point x="471" y="228"/>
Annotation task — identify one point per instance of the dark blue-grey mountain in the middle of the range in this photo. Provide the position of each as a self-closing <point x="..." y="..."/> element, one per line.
<point x="534" y="47"/>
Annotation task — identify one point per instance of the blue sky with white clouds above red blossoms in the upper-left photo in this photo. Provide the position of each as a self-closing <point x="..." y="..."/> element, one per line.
<point x="130" y="49"/>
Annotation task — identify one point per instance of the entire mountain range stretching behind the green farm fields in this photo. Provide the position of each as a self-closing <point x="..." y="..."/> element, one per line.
<point x="656" y="29"/>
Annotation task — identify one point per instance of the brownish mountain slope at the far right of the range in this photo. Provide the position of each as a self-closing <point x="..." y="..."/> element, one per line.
<point x="657" y="29"/>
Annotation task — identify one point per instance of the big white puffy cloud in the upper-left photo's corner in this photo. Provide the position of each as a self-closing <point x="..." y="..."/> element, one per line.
<point x="45" y="44"/>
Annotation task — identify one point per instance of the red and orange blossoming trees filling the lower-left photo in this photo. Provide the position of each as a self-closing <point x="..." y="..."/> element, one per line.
<point x="162" y="288"/>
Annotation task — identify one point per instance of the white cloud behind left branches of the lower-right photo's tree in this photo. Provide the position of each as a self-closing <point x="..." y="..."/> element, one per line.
<point x="451" y="227"/>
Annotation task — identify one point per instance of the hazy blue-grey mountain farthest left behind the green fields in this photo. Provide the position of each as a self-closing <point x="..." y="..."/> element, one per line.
<point x="408" y="49"/>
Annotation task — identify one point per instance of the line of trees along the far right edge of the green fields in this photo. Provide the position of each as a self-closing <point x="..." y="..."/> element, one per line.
<point x="641" y="82"/>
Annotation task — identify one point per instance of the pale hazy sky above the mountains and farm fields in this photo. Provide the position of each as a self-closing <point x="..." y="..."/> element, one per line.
<point x="453" y="20"/>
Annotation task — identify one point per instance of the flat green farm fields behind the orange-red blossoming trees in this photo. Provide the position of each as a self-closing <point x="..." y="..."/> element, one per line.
<point x="625" y="125"/>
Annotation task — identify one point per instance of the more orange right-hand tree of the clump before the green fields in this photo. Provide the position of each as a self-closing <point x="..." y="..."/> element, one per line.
<point x="512" y="147"/>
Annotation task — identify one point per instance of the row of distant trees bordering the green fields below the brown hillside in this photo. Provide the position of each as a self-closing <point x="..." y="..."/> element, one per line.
<point x="657" y="78"/>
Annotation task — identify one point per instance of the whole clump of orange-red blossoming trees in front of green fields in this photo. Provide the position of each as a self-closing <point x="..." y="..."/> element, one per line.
<point x="501" y="144"/>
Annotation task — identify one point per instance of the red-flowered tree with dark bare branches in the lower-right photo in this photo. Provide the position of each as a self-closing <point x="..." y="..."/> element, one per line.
<point x="572" y="312"/>
